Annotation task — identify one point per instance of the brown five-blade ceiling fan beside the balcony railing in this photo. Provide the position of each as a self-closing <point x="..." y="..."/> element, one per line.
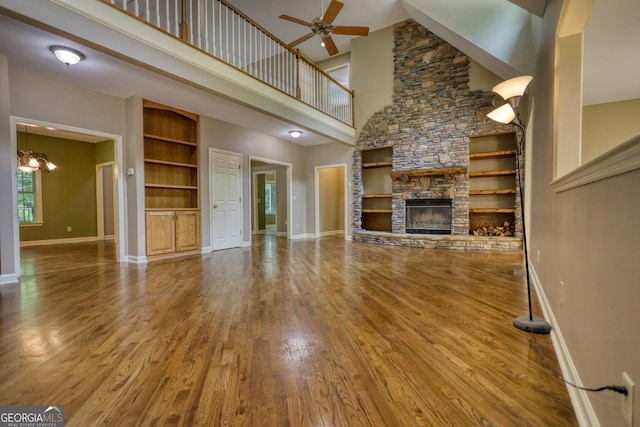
<point x="323" y="28"/>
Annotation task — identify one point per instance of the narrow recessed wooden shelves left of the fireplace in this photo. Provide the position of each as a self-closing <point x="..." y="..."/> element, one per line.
<point x="376" y="188"/>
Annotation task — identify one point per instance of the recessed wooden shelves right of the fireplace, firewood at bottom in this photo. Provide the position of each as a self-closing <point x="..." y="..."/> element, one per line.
<point x="492" y="180"/>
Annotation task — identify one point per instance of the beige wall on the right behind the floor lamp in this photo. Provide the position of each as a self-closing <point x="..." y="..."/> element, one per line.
<point x="586" y="237"/>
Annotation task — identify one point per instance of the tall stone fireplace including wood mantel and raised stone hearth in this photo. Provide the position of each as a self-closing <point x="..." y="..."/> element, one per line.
<point x="428" y="128"/>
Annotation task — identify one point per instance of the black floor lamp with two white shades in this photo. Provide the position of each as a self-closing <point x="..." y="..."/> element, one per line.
<point x="511" y="91"/>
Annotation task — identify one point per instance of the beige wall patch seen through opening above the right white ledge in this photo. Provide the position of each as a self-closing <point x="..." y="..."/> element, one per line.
<point x="605" y="126"/>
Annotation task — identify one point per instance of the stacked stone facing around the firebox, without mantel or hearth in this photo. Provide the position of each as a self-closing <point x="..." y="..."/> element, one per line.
<point x="428" y="125"/>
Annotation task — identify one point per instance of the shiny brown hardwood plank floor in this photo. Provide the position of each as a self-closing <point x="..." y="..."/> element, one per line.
<point x="286" y="333"/>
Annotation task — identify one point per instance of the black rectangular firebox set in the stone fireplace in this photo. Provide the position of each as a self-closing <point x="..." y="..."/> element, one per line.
<point x="428" y="216"/>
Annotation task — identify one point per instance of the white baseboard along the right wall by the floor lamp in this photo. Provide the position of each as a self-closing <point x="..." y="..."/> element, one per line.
<point x="579" y="398"/>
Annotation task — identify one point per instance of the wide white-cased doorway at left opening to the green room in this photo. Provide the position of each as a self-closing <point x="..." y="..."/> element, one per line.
<point x="69" y="192"/>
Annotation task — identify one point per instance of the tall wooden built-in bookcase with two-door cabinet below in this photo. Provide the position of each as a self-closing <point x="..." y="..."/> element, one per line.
<point x="171" y="179"/>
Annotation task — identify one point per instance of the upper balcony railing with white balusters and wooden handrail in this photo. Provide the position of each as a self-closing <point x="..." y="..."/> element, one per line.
<point x="220" y="30"/>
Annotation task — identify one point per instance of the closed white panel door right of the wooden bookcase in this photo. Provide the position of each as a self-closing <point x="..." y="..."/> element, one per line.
<point x="226" y="199"/>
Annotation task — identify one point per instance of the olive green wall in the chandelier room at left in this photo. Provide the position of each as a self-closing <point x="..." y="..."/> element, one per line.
<point x="68" y="192"/>
